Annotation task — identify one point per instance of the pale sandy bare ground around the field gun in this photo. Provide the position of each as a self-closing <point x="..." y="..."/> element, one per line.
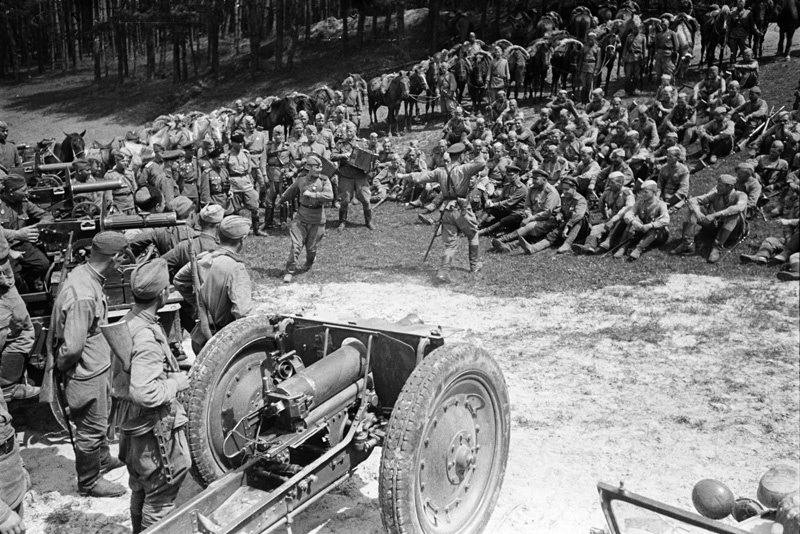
<point x="656" y="385"/>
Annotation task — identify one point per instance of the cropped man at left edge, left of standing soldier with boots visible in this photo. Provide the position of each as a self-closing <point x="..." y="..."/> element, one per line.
<point x="16" y="336"/>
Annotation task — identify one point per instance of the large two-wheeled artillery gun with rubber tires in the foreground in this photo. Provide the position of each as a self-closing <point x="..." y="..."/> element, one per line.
<point x="281" y="410"/>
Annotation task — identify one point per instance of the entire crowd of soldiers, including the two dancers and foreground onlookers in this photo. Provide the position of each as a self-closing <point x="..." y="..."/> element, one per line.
<point x="599" y="177"/>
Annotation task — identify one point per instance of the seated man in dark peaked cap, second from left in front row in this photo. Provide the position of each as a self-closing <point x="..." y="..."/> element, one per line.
<point x="542" y="207"/>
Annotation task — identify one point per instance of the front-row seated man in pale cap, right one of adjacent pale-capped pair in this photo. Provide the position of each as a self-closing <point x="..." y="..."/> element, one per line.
<point x="647" y="223"/>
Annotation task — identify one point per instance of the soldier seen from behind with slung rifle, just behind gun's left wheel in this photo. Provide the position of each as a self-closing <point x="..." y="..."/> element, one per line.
<point x="224" y="283"/>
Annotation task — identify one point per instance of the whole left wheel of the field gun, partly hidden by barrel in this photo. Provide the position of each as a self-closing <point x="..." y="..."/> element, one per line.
<point x="225" y="386"/>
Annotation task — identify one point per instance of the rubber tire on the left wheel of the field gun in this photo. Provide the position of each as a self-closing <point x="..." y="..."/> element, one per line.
<point x="222" y="351"/>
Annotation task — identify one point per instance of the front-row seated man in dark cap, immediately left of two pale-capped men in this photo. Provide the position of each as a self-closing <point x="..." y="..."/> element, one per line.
<point x="573" y="222"/>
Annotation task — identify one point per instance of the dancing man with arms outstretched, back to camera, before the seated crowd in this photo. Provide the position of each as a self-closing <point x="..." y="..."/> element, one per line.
<point x="457" y="215"/>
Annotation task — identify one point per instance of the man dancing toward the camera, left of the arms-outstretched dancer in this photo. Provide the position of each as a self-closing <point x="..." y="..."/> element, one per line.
<point x="308" y="225"/>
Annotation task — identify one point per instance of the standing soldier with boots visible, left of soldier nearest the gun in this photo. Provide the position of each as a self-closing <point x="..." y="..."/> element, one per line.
<point x="83" y="359"/>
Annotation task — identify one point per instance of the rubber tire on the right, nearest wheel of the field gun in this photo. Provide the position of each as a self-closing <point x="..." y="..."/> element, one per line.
<point x="419" y="400"/>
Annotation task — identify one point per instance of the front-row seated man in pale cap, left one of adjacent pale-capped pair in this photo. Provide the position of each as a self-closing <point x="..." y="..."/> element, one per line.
<point x="613" y="202"/>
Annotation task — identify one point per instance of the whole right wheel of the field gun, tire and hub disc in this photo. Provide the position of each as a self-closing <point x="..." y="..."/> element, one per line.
<point x="446" y="448"/>
